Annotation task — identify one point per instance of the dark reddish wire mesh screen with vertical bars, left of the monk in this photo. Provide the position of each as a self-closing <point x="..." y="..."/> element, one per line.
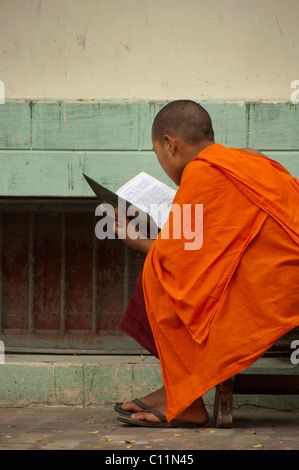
<point x="61" y="288"/>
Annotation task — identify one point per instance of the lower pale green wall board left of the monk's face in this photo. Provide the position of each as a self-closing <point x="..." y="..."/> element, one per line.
<point x="54" y="173"/>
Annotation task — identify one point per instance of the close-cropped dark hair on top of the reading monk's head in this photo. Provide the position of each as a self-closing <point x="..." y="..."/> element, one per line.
<point x="185" y="119"/>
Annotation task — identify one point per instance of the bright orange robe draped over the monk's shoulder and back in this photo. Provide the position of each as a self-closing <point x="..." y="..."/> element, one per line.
<point x="215" y="310"/>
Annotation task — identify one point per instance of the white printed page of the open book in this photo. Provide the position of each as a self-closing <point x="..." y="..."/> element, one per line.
<point x="147" y="193"/>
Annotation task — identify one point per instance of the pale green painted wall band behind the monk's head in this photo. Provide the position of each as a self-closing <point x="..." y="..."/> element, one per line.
<point x="46" y="146"/>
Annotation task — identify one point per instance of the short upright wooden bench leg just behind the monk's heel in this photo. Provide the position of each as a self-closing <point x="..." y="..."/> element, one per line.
<point x="223" y="404"/>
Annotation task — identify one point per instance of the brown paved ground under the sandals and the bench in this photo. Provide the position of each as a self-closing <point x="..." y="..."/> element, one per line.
<point x="70" y="428"/>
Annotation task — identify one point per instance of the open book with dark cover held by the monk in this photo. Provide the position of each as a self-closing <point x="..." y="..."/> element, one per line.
<point x="149" y="196"/>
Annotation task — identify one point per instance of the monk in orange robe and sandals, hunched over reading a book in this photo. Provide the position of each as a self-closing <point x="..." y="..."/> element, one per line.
<point x="209" y="313"/>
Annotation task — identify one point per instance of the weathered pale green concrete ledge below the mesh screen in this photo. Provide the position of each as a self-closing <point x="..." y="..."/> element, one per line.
<point x="28" y="379"/>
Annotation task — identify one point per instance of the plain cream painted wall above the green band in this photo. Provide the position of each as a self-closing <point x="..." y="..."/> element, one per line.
<point x="149" y="49"/>
